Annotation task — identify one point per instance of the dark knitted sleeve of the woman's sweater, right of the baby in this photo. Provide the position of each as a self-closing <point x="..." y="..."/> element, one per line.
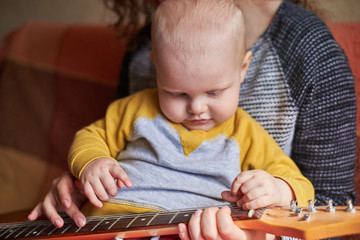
<point x="321" y="87"/>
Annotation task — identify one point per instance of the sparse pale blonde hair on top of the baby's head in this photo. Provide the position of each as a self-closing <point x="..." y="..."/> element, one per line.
<point x="192" y="27"/>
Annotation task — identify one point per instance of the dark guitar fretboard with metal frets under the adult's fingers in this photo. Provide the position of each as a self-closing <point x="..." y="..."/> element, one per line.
<point x="100" y="224"/>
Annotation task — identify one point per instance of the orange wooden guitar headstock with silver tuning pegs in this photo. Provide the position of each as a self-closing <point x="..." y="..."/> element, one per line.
<point x="308" y="222"/>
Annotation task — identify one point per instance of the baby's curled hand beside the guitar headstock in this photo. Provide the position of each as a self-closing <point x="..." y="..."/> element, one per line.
<point x="257" y="188"/>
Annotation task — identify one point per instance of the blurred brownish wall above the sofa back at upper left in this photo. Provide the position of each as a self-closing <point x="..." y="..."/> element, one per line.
<point x="14" y="13"/>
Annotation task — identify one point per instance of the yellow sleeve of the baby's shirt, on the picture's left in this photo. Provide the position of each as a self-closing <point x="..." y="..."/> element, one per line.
<point x="108" y="136"/>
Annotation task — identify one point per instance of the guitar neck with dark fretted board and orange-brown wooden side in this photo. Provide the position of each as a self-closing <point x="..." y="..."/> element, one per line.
<point x="110" y="226"/>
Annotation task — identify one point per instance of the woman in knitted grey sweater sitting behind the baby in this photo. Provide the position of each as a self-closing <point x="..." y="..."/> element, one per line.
<point x="299" y="87"/>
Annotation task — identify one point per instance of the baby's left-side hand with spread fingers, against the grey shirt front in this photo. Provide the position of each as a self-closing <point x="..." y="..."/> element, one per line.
<point x="99" y="176"/>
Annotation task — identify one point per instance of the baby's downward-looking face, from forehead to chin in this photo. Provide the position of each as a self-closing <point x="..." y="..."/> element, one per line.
<point x="199" y="93"/>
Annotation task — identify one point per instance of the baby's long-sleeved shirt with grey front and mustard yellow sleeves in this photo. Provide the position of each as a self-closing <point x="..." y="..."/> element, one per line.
<point x="172" y="167"/>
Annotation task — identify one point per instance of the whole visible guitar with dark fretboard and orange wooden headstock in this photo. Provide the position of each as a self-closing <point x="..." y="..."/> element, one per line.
<point x="278" y="220"/>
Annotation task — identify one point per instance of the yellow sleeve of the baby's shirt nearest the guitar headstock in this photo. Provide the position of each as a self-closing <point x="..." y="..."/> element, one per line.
<point x="258" y="150"/>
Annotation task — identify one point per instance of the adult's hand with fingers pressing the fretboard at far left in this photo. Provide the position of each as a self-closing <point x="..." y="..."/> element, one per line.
<point x="66" y="196"/>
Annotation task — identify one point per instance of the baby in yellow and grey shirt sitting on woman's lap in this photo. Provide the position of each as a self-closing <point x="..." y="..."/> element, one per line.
<point x="181" y="145"/>
